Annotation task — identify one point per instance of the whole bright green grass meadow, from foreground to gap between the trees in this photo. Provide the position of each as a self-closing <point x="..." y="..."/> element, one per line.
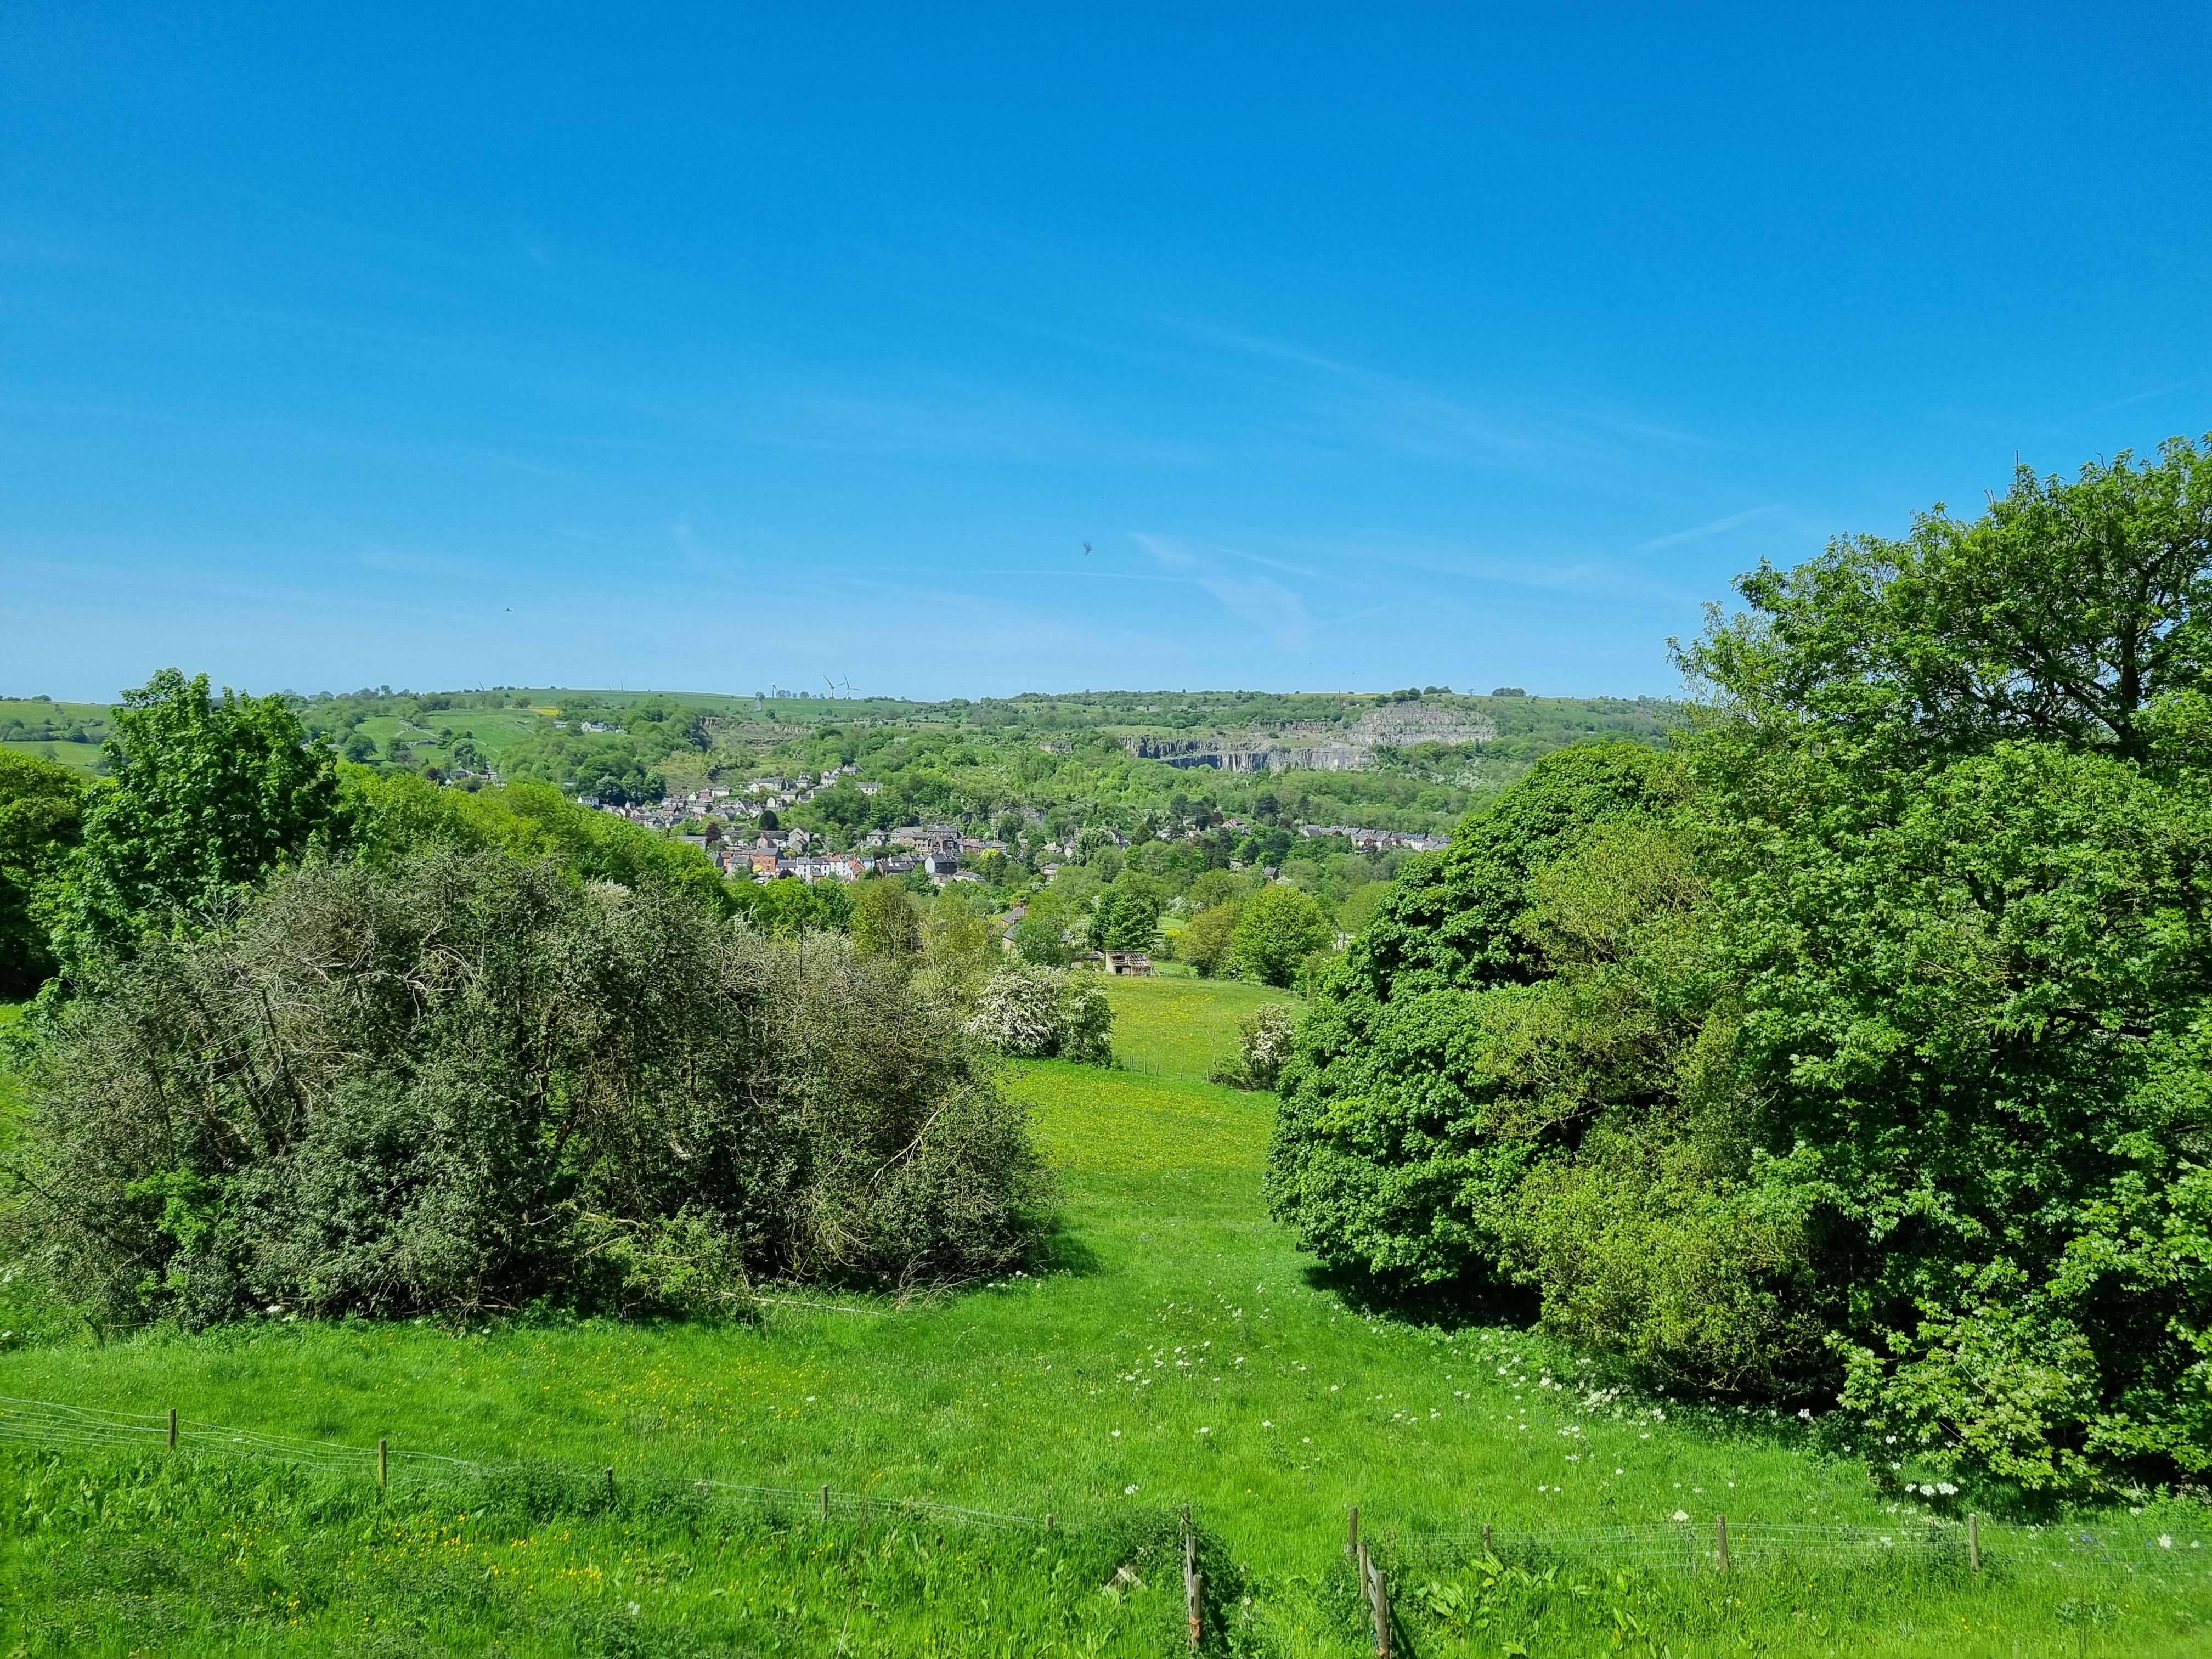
<point x="1173" y="1350"/>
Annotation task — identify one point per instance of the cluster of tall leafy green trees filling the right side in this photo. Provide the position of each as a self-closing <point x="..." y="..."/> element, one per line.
<point x="1855" y="1052"/>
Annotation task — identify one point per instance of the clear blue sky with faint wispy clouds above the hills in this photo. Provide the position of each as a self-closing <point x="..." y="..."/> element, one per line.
<point x="733" y="346"/>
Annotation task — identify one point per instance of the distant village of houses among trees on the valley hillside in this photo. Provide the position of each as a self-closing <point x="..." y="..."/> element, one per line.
<point x="939" y="851"/>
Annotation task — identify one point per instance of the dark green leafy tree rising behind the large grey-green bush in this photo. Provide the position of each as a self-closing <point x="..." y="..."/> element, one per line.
<point x="209" y="797"/>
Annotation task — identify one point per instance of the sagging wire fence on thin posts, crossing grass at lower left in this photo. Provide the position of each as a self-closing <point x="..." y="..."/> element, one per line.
<point x="90" y="1430"/>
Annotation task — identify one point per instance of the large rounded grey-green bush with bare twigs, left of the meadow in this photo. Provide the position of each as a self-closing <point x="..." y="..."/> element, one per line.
<point x="463" y="1081"/>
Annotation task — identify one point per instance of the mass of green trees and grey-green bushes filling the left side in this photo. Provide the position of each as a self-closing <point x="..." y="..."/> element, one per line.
<point x="348" y="1041"/>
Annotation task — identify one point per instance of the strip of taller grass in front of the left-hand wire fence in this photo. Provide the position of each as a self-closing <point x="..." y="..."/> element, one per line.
<point x="125" y="1554"/>
